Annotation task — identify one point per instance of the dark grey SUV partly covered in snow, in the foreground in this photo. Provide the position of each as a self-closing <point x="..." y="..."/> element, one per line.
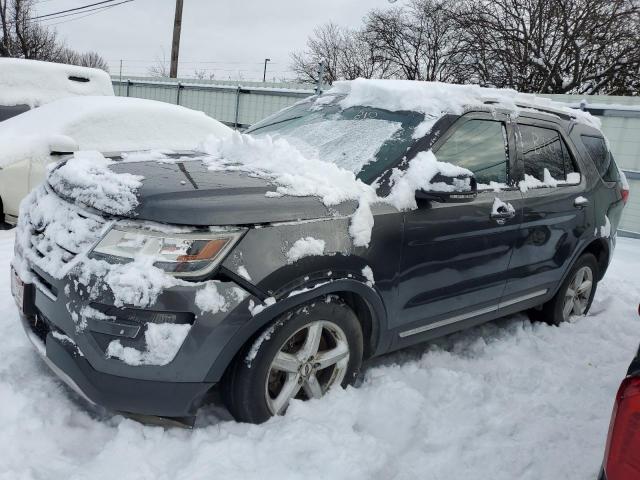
<point x="270" y="265"/>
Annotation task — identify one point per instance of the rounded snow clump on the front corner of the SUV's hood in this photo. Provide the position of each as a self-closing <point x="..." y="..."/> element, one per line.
<point x="87" y="179"/>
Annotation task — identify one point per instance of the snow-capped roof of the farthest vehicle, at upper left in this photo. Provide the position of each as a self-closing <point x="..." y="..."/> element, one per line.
<point x="34" y="83"/>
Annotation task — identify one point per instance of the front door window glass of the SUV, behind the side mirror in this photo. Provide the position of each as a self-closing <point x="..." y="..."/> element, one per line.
<point x="479" y="146"/>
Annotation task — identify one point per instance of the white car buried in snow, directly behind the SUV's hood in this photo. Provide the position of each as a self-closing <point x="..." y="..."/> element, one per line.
<point x="32" y="142"/>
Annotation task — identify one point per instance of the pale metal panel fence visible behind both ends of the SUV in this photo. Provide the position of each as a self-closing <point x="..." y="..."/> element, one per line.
<point x="240" y="104"/>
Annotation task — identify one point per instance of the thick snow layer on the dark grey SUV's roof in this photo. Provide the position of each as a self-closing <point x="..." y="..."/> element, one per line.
<point x="435" y="98"/>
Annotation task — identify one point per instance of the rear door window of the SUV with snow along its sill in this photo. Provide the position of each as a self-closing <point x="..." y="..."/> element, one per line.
<point x="544" y="149"/>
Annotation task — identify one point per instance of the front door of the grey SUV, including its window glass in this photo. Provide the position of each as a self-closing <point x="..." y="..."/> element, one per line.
<point x="456" y="256"/>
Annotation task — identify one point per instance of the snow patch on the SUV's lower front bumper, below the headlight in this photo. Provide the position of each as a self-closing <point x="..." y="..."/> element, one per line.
<point x="163" y="342"/>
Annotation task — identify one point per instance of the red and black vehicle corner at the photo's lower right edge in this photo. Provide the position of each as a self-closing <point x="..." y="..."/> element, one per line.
<point x="622" y="453"/>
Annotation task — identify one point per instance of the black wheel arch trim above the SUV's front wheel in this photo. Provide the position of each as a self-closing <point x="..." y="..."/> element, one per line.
<point x="364" y="300"/>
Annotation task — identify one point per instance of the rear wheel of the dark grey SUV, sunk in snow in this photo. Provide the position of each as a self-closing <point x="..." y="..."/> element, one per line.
<point x="553" y="312"/>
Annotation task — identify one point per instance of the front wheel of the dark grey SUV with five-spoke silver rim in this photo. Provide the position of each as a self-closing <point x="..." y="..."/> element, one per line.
<point x="258" y="385"/>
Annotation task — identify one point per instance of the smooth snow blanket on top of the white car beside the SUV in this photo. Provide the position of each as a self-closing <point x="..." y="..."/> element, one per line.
<point x="105" y="124"/>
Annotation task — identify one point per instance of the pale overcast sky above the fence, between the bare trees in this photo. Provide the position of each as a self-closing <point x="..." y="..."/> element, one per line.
<point x="228" y="37"/>
